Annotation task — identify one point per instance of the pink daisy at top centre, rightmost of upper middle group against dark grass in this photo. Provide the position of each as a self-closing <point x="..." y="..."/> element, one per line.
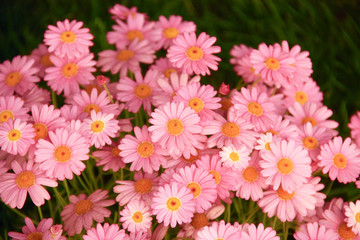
<point x="194" y="54"/>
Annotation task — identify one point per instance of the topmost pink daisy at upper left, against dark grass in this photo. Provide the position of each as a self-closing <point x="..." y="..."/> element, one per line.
<point x="68" y="39"/>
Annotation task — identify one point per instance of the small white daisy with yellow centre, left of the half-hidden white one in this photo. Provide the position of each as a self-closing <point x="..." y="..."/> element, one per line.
<point x="237" y="158"/>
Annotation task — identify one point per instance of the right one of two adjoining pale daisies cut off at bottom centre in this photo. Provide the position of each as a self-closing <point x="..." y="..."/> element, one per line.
<point x="259" y="233"/>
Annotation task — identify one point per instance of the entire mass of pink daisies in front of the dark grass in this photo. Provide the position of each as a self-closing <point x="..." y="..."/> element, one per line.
<point x="200" y="149"/>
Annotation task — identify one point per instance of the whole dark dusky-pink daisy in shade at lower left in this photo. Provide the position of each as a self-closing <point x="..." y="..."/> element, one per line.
<point x="82" y="210"/>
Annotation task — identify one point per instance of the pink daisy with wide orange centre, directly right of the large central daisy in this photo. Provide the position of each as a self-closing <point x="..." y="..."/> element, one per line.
<point x="235" y="130"/>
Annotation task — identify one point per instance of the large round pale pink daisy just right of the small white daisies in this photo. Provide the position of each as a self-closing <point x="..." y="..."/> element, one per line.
<point x="286" y="165"/>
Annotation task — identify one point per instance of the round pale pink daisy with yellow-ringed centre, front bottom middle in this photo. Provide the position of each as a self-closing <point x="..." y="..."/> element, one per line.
<point x="173" y="204"/>
